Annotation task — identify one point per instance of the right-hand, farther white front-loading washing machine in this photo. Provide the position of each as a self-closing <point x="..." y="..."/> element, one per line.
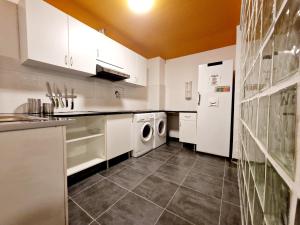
<point x="160" y="129"/>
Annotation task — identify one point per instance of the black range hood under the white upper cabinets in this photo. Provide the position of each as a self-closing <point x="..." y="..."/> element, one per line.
<point x="111" y="74"/>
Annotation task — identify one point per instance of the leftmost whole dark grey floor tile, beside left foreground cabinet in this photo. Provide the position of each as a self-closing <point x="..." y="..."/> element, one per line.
<point x="99" y="197"/>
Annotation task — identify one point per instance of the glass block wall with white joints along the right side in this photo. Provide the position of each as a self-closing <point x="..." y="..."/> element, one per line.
<point x="269" y="143"/>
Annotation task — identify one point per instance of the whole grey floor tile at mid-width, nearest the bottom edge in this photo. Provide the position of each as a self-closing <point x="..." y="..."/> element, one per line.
<point x="156" y="190"/>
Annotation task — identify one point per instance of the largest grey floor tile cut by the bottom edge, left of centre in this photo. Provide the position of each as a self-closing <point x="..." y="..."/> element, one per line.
<point x="131" y="210"/>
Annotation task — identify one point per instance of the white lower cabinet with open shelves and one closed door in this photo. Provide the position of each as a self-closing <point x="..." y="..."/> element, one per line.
<point x="95" y="139"/>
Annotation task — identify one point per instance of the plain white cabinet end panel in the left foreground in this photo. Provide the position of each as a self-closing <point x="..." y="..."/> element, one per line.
<point x="32" y="177"/>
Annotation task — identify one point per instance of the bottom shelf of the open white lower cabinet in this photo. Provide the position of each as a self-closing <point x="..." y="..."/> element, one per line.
<point x="77" y="164"/>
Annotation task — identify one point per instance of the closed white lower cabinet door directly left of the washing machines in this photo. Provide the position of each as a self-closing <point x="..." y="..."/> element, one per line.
<point x="118" y="135"/>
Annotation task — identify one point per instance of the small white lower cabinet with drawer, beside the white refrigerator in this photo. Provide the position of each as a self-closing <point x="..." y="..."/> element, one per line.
<point x="188" y="127"/>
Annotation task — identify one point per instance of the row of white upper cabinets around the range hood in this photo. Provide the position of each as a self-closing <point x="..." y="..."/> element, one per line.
<point x="51" y="38"/>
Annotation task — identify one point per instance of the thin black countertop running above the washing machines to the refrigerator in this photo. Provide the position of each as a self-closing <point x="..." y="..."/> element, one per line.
<point x="98" y="113"/>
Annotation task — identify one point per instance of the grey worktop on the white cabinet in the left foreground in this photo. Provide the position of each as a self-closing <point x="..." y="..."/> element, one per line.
<point x="24" y="125"/>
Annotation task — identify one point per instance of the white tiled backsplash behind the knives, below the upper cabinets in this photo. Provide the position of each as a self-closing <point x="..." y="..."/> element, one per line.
<point x="18" y="82"/>
